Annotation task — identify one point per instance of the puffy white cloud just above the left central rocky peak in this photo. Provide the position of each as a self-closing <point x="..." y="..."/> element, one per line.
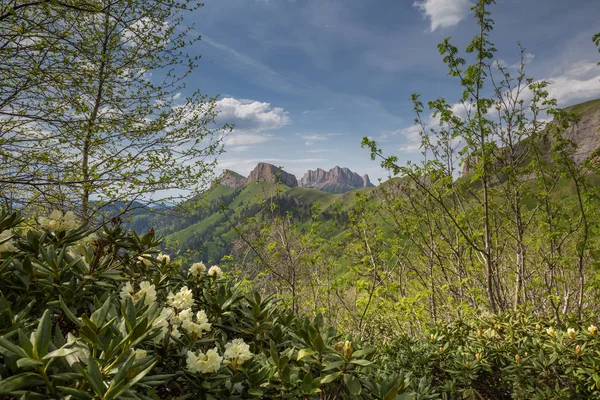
<point x="252" y="121"/>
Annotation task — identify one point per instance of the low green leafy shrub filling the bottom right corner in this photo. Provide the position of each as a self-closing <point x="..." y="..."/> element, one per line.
<point x="509" y="356"/>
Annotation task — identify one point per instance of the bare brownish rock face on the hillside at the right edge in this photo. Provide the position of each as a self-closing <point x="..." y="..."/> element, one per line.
<point x="586" y="135"/>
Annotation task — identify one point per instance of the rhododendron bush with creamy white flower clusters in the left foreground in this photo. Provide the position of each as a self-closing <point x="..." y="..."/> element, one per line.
<point x="104" y="315"/>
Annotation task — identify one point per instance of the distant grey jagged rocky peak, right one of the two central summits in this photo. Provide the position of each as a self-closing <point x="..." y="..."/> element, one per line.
<point x="336" y="180"/>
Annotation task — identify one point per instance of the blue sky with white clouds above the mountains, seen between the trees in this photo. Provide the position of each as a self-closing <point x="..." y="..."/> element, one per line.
<point x="304" y="80"/>
